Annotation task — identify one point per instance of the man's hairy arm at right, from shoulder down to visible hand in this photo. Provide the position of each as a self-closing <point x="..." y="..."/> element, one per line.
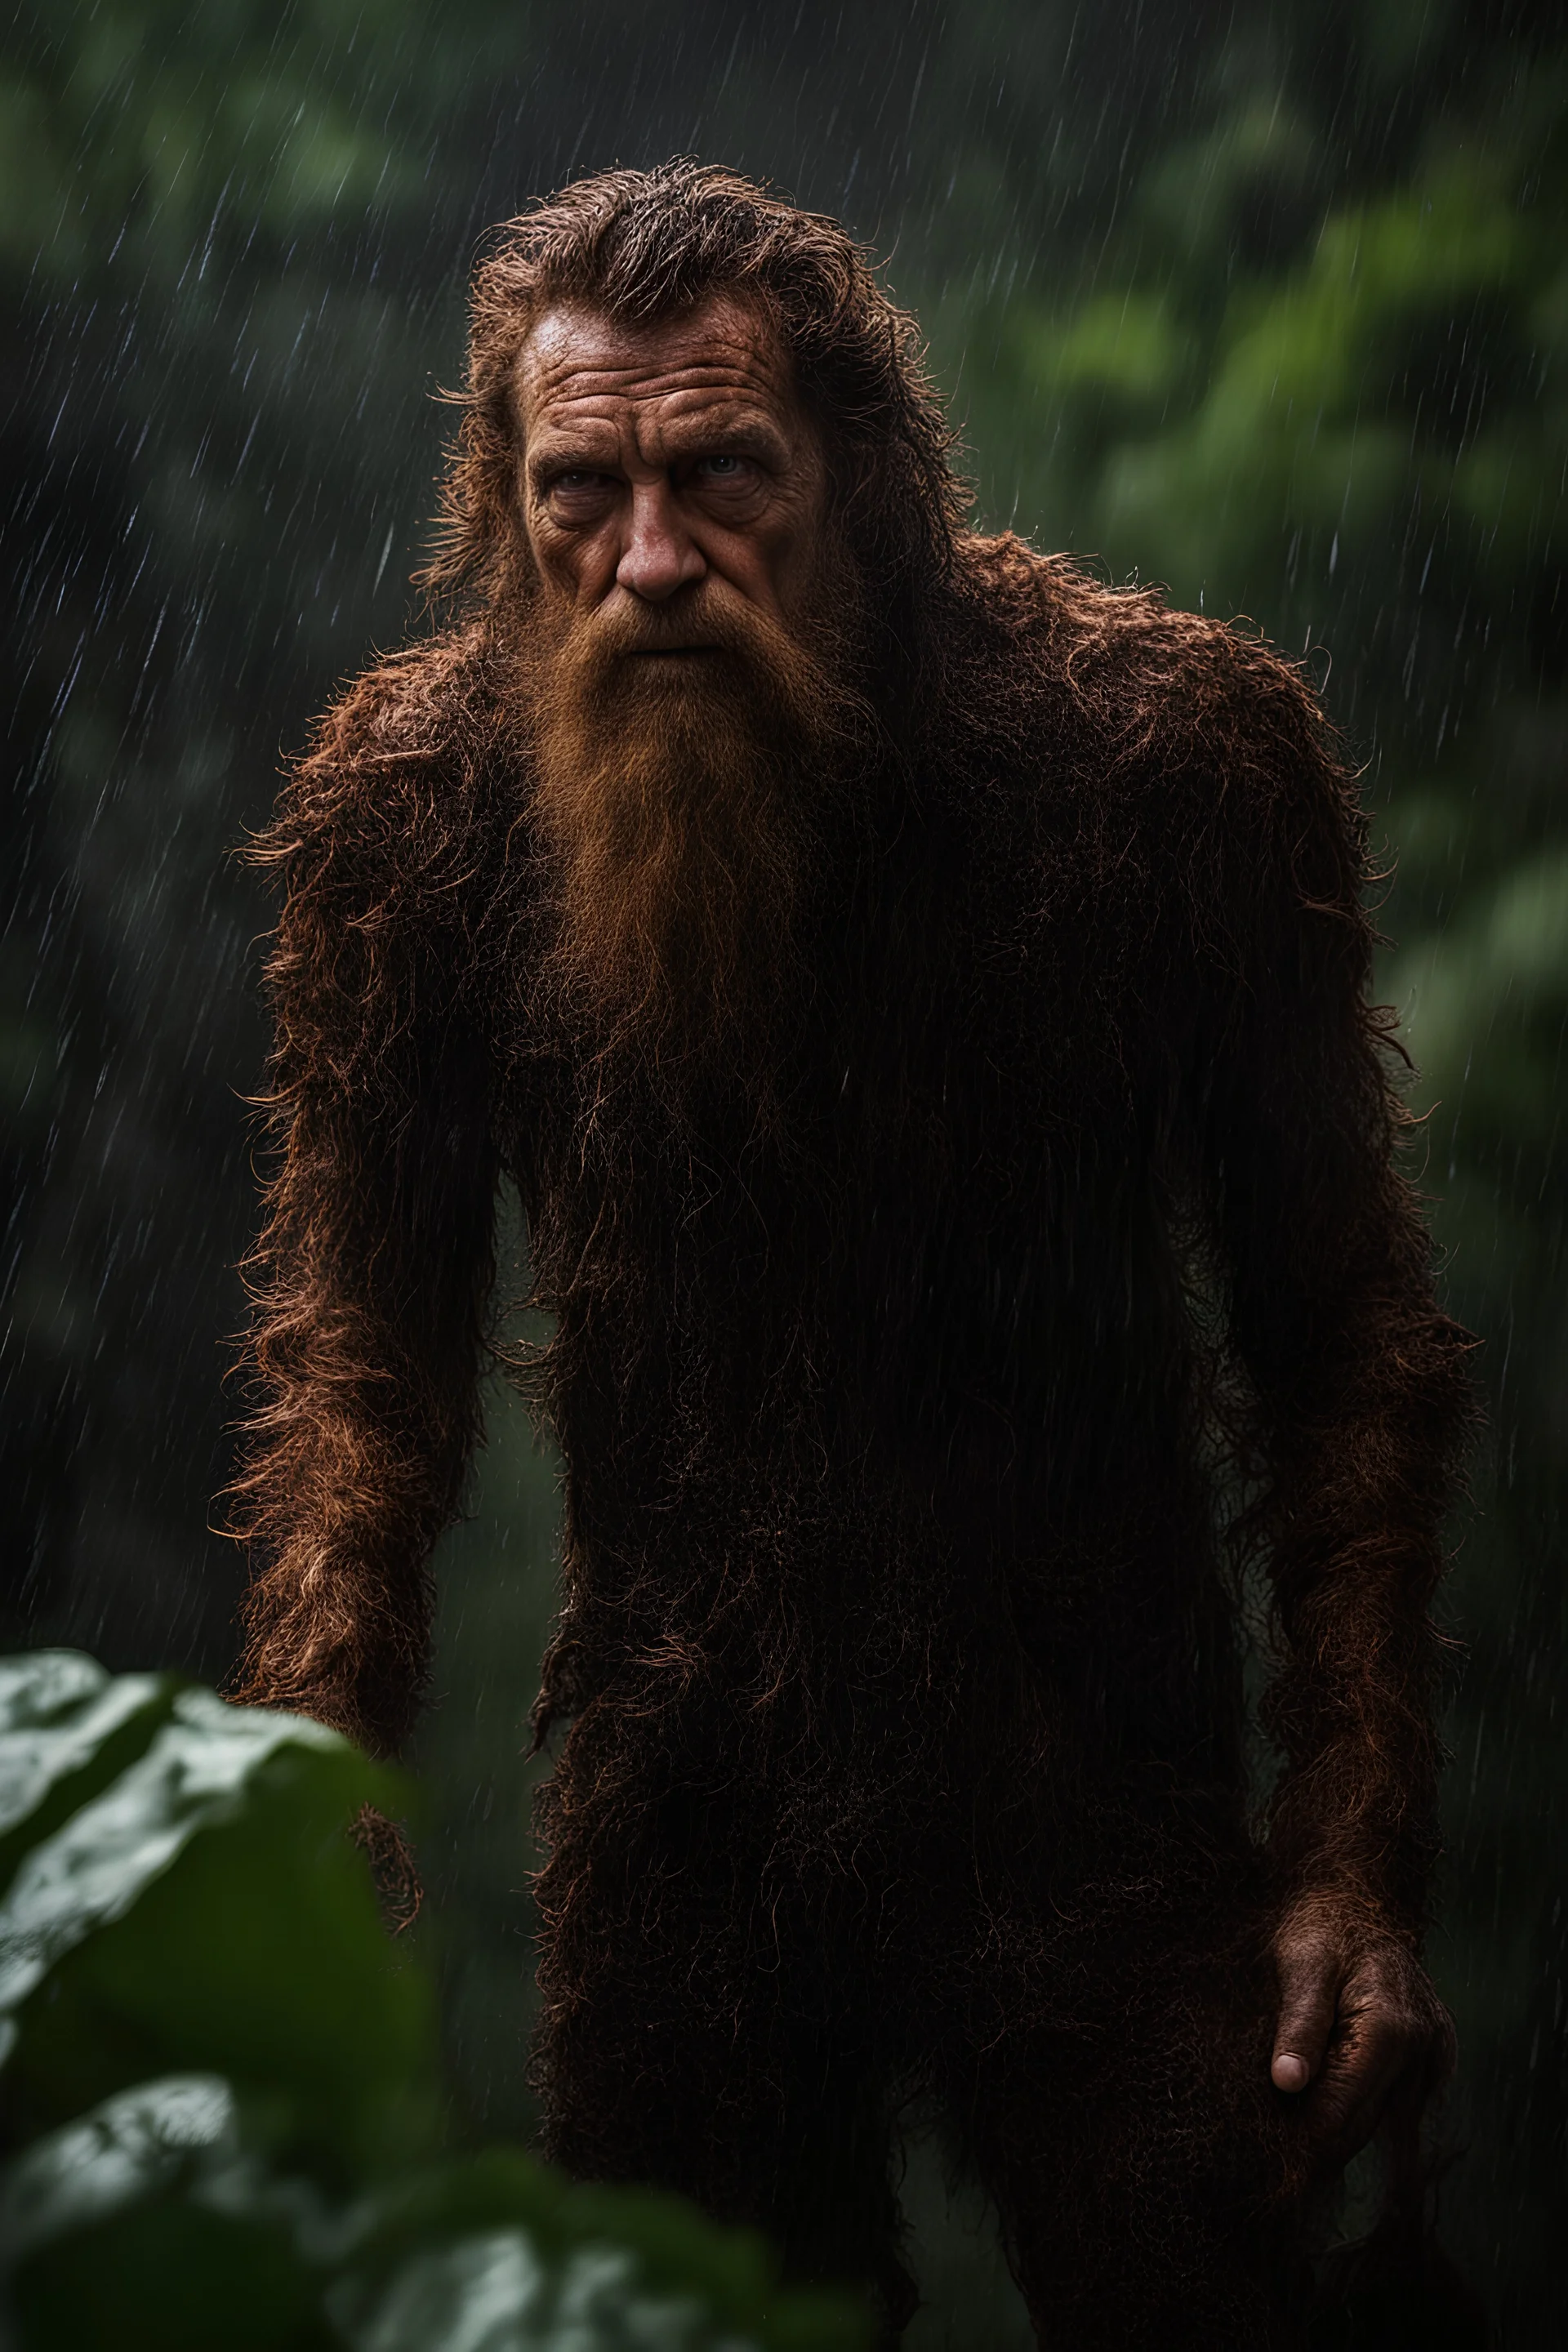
<point x="1360" y="1391"/>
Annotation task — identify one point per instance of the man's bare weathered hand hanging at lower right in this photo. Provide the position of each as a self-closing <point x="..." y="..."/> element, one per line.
<point x="1360" y="2026"/>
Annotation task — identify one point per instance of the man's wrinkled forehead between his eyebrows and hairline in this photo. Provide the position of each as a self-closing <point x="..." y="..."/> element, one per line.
<point x="582" y="361"/>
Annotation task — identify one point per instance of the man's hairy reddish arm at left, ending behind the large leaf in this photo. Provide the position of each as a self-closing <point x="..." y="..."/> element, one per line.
<point x="373" y="1271"/>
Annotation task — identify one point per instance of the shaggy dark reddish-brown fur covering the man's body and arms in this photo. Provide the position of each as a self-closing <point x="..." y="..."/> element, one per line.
<point x="918" y="1434"/>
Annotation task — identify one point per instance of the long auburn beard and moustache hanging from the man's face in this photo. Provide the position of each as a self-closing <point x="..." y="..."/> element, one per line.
<point x="688" y="813"/>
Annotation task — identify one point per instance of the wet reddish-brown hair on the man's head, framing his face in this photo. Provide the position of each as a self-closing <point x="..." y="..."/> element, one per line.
<point x="650" y="246"/>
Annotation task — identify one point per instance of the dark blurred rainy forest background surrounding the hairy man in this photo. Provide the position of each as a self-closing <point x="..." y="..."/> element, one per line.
<point x="1261" y="302"/>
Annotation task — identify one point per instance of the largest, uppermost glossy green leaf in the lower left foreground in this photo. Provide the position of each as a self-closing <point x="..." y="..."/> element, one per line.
<point x="182" y="1897"/>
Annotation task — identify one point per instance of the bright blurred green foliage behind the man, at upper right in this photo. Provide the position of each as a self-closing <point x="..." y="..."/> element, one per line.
<point x="1391" y="394"/>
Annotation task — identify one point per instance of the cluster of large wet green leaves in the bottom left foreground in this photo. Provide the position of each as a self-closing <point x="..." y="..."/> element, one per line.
<point x="222" y="2090"/>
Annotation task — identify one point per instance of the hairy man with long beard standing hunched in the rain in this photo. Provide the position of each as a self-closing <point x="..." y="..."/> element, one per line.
<point x="920" y="1001"/>
